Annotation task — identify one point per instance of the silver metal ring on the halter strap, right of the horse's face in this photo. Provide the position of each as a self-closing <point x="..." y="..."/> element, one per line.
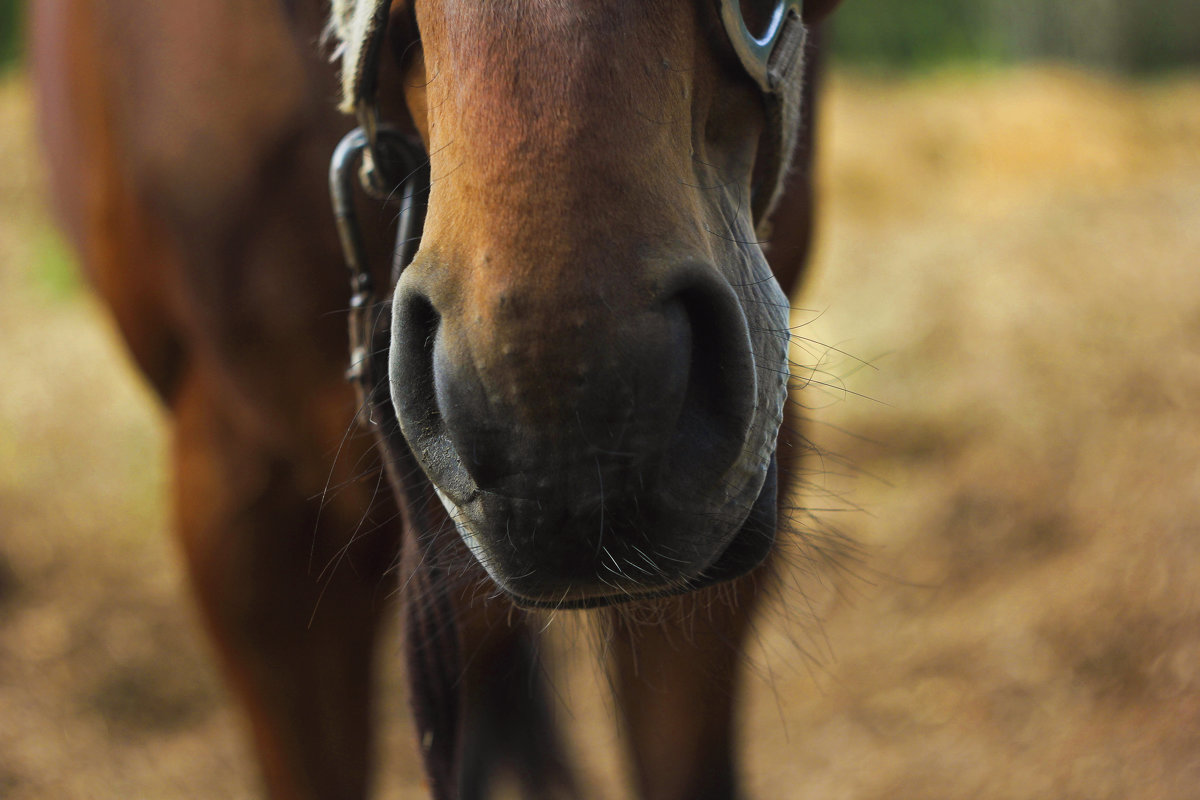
<point x="770" y="58"/>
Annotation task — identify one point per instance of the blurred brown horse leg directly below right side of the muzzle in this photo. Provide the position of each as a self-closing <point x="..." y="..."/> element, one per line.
<point x="677" y="684"/>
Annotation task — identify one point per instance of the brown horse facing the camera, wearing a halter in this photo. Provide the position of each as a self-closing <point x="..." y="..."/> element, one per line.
<point x="587" y="354"/>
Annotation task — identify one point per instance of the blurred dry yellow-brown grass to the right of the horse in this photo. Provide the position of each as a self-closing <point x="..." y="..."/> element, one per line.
<point x="1017" y="256"/>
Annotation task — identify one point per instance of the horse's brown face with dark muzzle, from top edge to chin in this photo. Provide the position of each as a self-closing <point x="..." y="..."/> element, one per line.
<point x="590" y="352"/>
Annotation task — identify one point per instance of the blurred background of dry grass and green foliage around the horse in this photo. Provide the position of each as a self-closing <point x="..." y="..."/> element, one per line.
<point x="1003" y="333"/>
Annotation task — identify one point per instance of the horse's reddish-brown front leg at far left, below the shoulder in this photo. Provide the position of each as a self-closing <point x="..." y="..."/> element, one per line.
<point x="296" y="646"/>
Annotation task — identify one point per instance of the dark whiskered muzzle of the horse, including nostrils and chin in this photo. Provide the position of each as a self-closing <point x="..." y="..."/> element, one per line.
<point x="587" y="448"/>
